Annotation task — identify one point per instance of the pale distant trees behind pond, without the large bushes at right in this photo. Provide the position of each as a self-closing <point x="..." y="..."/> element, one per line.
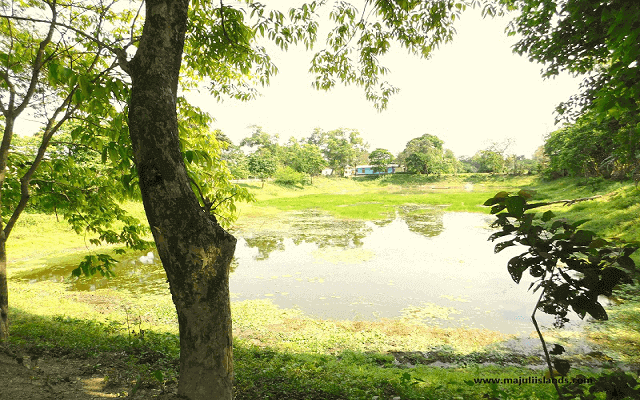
<point x="296" y="162"/>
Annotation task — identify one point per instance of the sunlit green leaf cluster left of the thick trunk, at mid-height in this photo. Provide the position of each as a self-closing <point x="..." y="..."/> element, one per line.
<point x="72" y="181"/>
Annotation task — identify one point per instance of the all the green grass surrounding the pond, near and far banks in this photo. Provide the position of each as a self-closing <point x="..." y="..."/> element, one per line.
<point x="283" y="354"/>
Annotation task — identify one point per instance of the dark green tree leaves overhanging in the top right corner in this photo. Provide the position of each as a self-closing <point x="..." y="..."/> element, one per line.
<point x="593" y="38"/>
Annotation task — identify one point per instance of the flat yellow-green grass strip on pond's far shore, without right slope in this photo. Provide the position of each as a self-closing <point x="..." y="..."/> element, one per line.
<point x="377" y="198"/>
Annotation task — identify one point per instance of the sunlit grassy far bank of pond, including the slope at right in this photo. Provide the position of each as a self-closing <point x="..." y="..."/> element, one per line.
<point x="613" y="214"/>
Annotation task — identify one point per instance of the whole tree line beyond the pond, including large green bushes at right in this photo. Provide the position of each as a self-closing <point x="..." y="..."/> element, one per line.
<point x="591" y="146"/>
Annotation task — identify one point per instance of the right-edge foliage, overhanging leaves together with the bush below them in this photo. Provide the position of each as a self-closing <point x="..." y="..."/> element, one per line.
<point x="598" y="40"/>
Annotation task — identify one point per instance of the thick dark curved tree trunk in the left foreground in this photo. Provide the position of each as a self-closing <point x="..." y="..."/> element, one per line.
<point x="195" y="251"/>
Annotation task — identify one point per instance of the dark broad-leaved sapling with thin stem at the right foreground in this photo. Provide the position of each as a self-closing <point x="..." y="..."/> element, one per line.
<point x="572" y="266"/>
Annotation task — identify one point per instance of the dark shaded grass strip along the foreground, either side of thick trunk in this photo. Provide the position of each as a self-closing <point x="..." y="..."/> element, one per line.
<point x="260" y="373"/>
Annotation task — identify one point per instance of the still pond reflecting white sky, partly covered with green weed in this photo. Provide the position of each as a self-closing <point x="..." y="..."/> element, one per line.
<point x="424" y="264"/>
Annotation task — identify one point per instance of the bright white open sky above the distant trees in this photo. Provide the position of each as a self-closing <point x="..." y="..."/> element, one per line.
<point x="472" y="92"/>
